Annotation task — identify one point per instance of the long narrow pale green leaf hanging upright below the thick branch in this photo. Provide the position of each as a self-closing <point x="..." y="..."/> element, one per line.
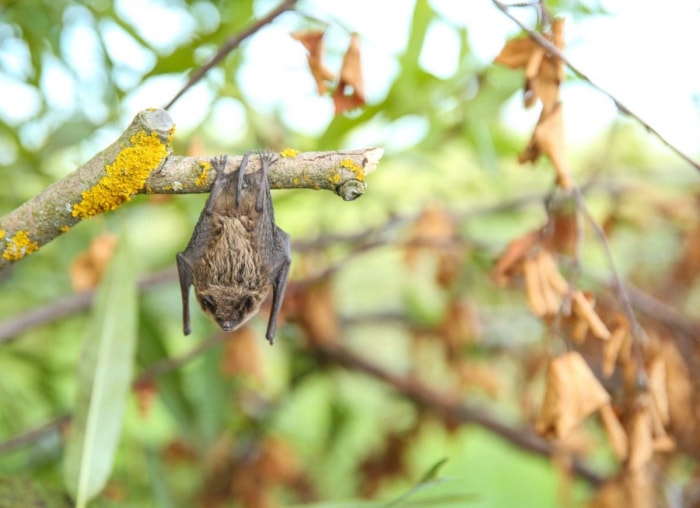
<point x="104" y="377"/>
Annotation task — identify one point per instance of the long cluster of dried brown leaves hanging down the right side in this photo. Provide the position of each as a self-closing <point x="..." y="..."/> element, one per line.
<point x="629" y="373"/>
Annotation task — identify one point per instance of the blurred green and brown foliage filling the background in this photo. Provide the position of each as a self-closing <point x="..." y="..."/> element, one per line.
<point x="400" y="277"/>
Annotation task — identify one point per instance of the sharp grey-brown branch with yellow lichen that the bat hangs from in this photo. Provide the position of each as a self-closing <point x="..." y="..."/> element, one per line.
<point x="140" y="162"/>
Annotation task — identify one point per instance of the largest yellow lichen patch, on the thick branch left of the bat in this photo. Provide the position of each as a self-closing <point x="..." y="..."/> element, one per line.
<point x="125" y="176"/>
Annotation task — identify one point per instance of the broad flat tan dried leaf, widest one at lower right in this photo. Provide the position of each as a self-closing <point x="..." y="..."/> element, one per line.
<point x="572" y="393"/>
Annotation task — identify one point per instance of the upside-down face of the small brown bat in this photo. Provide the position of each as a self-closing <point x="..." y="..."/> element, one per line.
<point x="230" y="308"/>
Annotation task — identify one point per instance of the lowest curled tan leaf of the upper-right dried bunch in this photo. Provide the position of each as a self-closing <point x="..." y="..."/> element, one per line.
<point x="548" y="139"/>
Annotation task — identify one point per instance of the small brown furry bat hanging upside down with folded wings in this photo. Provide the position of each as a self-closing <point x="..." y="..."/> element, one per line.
<point x="236" y="251"/>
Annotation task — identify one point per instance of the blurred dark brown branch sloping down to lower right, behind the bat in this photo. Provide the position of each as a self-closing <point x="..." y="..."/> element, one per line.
<point x="449" y="407"/>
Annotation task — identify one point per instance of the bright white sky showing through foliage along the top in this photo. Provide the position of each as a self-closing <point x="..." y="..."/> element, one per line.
<point x="643" y="52"/>
